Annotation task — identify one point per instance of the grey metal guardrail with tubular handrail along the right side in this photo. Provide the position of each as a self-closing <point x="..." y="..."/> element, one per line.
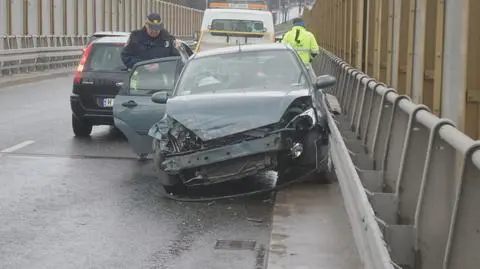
<point x="421" y="176"/>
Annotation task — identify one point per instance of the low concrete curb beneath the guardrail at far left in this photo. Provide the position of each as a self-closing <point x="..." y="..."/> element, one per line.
<point x="8" y="81"/>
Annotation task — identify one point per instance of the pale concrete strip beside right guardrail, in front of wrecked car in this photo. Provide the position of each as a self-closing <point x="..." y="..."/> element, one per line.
<point x="311" y="230"/>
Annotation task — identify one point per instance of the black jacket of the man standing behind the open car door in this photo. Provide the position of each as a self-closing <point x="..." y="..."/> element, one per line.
<point x="142" y="47"/>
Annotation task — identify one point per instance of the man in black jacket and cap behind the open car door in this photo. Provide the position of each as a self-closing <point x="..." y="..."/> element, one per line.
<point x="151" y="42"/>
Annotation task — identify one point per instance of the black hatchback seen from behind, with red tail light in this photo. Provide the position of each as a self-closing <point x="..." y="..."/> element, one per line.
<point x="98" y="78"/>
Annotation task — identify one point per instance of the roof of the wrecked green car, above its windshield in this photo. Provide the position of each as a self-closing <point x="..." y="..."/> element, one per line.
<point x="241" y="48"/>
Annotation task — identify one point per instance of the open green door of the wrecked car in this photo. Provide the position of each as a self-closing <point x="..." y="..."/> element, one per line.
<point x="133" y="111"/>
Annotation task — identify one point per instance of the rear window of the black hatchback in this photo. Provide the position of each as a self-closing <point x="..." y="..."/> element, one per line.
<point x="105" y="57"/>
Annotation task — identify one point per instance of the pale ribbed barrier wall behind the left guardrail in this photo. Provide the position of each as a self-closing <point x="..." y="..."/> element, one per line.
<point x="82" y="17"/>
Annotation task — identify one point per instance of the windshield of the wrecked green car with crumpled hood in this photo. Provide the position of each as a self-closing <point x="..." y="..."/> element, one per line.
<point x="245" y="71"/>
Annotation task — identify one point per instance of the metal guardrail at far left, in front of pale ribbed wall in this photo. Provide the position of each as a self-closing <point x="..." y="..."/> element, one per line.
<point x="25" y="54"/>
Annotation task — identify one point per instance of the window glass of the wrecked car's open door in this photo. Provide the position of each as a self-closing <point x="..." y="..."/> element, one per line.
<point x="150" y="78"/>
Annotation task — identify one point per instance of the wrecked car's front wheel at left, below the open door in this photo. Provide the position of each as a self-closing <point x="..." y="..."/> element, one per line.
<point x="170" y="183"/>
